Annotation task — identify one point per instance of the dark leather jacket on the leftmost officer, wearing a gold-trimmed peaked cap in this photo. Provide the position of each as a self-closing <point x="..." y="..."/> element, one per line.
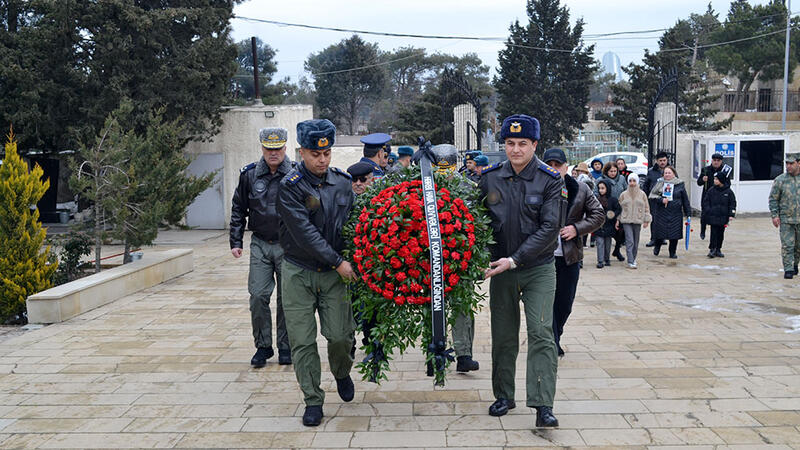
<point x="256" y="197"/>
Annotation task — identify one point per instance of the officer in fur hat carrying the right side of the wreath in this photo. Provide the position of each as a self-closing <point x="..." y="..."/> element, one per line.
<point x="527" y="201"/>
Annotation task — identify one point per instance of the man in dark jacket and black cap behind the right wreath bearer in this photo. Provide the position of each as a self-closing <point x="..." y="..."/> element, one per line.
<point x="584" y="215"/>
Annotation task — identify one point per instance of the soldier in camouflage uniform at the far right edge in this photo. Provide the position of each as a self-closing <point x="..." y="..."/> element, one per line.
<point x="784" y="207"/>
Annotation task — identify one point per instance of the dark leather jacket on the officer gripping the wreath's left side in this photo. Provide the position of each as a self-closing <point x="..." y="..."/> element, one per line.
<point x="313" y="211"/>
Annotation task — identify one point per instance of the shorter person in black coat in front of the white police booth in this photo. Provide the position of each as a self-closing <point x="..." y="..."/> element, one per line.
<point x="719" y="207"/>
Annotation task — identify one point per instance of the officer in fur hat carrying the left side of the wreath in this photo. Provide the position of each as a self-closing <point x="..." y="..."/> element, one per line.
<point x="314" y="202"/>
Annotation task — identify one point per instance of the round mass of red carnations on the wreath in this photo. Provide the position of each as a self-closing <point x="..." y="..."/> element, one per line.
<point x="391" y="242"/>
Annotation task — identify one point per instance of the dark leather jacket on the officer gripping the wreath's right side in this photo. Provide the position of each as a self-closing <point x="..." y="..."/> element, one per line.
<point x="527" y="211"/>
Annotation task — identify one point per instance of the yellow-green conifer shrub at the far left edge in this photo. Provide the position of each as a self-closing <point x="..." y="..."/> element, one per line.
<point x="24" y="268"/>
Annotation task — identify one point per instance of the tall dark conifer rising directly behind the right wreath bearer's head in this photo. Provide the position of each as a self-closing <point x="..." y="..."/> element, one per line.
<point x="545" y="71"/>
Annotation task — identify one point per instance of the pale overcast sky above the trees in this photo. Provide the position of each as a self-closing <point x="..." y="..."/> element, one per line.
<point x="451" y="17"/>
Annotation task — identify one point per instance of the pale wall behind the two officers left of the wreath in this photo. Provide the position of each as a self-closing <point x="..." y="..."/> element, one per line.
<point x="238" y="140"/>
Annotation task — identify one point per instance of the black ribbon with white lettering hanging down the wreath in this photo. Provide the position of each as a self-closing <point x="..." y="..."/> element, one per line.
<point x="438" y="346"/>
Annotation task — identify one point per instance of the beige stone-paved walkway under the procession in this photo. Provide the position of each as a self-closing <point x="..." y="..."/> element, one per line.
<point x="695" y="352"/>
